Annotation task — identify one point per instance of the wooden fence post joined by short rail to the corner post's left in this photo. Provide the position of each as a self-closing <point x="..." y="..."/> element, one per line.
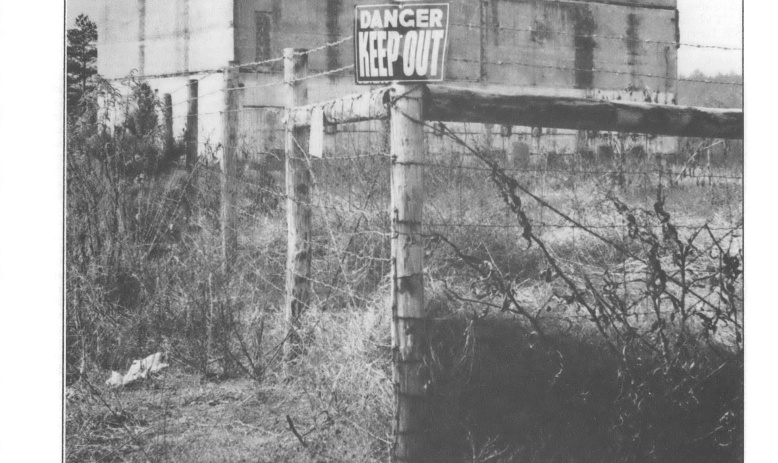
<point x="298" y="200"/>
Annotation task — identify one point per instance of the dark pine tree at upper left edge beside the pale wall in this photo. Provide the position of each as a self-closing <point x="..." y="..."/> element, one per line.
<point x="82" y="61"/>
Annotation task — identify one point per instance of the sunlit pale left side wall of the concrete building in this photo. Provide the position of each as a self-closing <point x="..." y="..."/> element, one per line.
<point x="170" y="41"/>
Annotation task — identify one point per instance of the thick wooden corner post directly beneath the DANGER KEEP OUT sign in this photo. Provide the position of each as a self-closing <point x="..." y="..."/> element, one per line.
<point x="409" y="320"/>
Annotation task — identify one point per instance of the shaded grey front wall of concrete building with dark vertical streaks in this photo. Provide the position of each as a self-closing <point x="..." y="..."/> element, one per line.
<point x="491" y="43"/>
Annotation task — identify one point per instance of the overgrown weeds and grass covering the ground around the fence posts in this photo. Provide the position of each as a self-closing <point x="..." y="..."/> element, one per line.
<point x="548" y="344"/>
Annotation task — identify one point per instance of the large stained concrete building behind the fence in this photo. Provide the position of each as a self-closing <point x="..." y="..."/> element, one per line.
<point x="620" y="49"/>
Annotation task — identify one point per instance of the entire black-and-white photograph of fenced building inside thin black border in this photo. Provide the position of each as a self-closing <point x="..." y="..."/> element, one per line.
<point x="492" y="231"/>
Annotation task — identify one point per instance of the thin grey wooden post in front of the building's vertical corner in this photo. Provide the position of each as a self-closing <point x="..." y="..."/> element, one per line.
<point x="229" y="194"/>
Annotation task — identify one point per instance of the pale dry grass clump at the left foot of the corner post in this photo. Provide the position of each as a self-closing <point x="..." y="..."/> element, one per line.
<point x="345" y="374"/>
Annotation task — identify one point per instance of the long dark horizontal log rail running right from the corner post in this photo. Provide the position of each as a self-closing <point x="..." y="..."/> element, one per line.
<point x="452" y="104"/>
